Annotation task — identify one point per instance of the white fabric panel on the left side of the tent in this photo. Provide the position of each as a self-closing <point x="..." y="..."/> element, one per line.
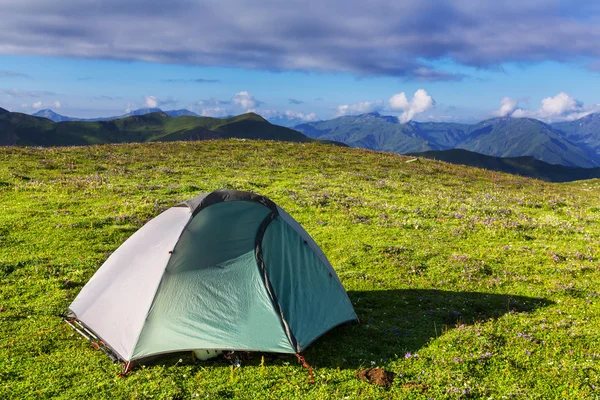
<point x="115" y="302"/>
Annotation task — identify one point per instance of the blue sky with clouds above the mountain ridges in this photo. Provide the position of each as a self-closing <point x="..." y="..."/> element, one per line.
<point x="303" y="60"/>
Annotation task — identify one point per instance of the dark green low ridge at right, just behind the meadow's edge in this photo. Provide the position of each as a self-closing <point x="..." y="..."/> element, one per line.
<point x="524" y="166"/>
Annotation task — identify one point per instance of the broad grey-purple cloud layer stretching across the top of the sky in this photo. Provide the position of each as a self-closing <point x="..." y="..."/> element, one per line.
<point x="404" y="38"/>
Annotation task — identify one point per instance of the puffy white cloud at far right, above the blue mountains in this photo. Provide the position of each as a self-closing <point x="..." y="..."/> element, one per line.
<point x="562" y="107"/>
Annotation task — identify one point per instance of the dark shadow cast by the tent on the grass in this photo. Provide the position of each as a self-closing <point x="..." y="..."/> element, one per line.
<point x="394" y="322"/>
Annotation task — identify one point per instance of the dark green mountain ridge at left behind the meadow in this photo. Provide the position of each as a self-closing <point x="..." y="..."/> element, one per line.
<point x="27" y="130"/>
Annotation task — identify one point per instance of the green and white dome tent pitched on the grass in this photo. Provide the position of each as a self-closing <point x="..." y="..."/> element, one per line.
<point x="224" y="270"/>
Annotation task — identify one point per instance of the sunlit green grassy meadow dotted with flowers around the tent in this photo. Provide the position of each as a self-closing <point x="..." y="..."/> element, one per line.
<point x="471" y="283"/>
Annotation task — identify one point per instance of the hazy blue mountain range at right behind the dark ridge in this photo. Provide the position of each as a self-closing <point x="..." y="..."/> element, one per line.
<point x="500" y="137"/>
